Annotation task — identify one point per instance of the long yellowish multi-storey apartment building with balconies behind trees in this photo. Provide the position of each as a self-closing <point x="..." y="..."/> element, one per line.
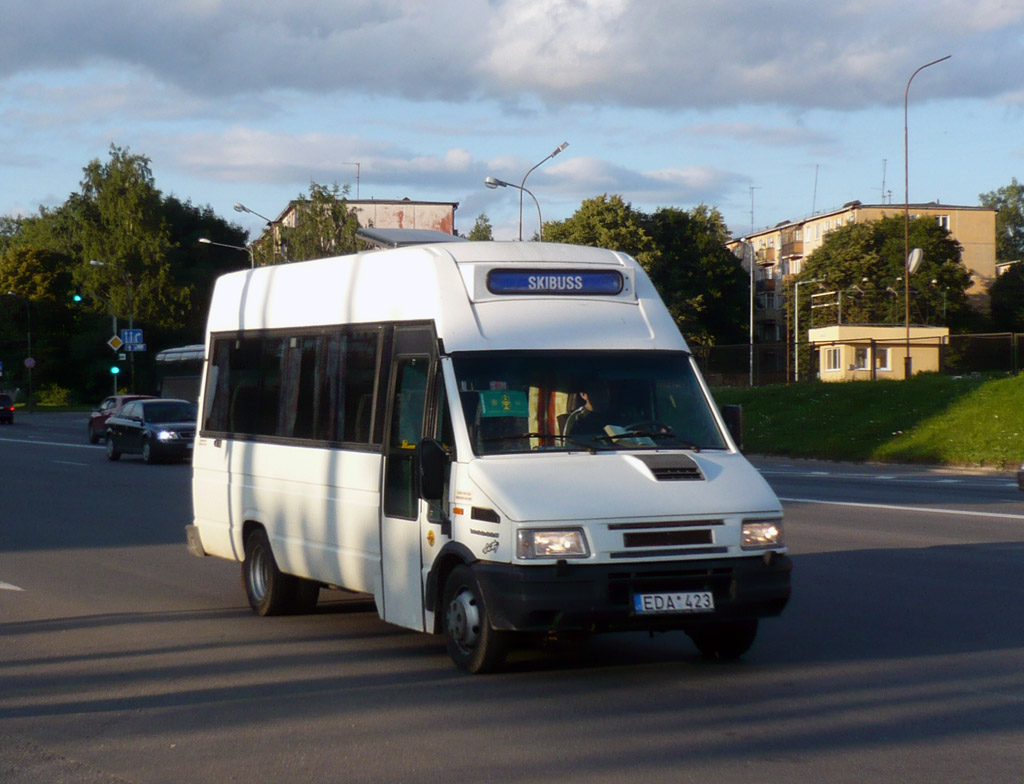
<point x="781" y="250"/>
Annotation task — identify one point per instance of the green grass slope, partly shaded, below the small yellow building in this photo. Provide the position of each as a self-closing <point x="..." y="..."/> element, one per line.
<point x="931" y="419"/>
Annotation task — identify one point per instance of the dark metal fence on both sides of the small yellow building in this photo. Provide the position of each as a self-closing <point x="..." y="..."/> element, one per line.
<point x="738" y="366"/>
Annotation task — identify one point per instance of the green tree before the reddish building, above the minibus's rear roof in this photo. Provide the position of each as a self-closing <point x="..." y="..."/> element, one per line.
<point x="325" y="226"/>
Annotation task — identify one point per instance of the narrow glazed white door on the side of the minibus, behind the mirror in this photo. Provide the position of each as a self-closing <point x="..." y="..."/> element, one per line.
<point x="404" y="517"/>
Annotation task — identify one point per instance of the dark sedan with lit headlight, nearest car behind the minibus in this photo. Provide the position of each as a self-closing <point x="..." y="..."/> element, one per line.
<point x="156" y="428"/>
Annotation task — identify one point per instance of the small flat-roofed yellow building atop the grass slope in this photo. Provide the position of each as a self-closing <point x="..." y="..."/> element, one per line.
<point x="862" y="354"/>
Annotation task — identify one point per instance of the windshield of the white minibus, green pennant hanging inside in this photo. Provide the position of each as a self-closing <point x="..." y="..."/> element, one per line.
<point x="598" y="401"/>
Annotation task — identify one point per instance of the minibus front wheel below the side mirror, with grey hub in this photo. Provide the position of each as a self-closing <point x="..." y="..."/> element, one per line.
<point x="474" y="645"/>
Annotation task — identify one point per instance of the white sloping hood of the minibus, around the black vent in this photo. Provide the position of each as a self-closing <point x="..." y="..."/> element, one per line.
<point x="615" y="486"/>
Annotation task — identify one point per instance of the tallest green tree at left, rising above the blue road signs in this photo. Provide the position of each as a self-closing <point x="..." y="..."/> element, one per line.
<point x="123" y="229"/>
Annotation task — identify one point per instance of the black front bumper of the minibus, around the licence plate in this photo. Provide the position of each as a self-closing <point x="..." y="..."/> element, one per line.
<point x="600" y="597"/>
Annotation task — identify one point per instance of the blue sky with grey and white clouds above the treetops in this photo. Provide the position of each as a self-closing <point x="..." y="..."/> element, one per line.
<point x="796" y="106"/>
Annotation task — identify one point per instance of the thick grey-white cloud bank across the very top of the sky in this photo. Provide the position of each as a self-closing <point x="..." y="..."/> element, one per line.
<point x="633" y="53"/>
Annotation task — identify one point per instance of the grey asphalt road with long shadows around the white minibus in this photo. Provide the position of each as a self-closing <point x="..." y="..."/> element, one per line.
<point x="125" y="660"/>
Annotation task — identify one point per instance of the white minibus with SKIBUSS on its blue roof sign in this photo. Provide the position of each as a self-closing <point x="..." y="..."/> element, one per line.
<point x="500" y="442"/>
